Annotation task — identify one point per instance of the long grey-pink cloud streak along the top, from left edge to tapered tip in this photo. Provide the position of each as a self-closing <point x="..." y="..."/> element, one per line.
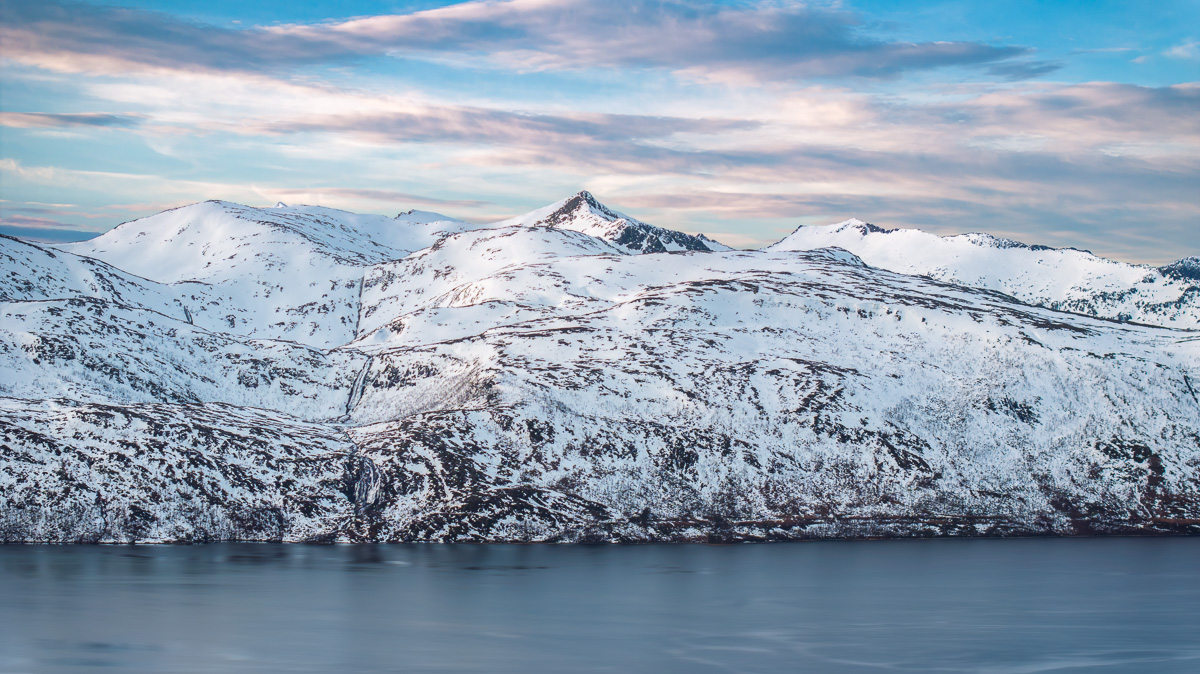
<point x="765" y="41"/>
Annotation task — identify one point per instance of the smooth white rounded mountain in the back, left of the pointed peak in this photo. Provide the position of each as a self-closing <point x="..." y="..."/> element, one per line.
<point x="285" y="273"/>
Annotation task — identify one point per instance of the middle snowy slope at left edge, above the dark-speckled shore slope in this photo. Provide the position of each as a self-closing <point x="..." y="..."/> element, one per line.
<point x="92" y="351"/>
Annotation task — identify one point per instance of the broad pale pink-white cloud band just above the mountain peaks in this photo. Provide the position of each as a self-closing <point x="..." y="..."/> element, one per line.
<point x="1037" y="143"/>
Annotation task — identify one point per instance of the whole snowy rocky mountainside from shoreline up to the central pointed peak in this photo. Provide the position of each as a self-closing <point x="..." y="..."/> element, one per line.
<point x="304" y="375"/>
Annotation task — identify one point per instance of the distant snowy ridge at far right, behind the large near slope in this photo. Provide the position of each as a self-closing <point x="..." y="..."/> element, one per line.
<point x="1061" y="279"/>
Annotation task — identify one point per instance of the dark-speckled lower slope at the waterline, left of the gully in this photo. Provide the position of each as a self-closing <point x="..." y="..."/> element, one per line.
<point x="97" y="473"/>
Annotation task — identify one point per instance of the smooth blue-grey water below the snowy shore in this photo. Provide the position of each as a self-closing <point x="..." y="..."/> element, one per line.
<point x="1019" y="606"/>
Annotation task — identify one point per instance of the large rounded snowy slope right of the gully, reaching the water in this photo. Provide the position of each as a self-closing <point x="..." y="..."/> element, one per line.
<point x="778" y="396"/>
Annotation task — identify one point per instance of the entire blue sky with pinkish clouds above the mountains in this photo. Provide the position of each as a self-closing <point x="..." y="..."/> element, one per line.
<point x="1072" y="124"/>
